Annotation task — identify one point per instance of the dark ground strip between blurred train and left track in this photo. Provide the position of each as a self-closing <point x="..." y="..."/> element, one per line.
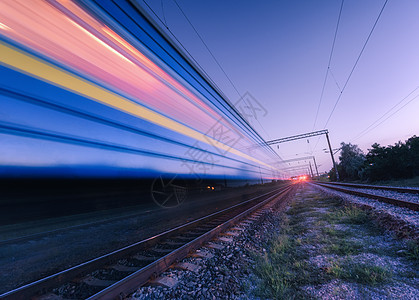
<point x="25" y="261"/>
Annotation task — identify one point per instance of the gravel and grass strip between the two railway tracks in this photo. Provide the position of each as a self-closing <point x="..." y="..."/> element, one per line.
<point x="320" y="246"/>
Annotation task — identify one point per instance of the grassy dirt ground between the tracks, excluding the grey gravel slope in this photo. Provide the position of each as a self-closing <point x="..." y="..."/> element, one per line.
<point x="325" y="248"/>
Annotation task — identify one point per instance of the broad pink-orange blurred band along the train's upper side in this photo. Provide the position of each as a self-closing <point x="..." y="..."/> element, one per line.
<point x="68" y="42"/>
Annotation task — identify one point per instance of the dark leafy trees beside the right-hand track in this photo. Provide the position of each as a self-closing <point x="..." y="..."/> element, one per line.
<point x="380" y="163"/>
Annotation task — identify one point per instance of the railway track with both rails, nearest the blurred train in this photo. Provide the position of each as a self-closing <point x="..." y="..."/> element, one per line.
<point x="120" y="272"/>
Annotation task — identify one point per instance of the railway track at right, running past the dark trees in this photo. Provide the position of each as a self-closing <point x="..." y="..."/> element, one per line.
<point x="390" y="200"/>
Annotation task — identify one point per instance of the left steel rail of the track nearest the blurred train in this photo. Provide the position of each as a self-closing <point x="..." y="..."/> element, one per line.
<point x="47" y="283"/>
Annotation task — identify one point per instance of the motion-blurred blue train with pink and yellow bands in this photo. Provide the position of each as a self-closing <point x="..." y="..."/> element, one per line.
<point x="94" y="89"/>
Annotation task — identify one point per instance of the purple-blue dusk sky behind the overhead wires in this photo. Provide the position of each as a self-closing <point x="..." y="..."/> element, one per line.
<point x="279" y="50"/>
